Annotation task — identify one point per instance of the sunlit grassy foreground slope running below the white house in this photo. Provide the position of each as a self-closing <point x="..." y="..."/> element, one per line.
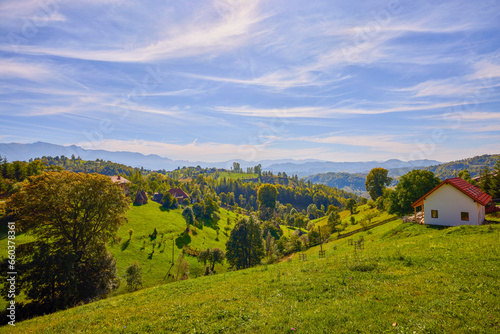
<point x="407" y="279"/>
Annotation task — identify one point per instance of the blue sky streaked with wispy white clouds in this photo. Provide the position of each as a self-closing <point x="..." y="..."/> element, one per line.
<point x="254" y="80"/>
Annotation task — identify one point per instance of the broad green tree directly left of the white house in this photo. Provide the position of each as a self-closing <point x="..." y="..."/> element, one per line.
<point x="410" y="188"/>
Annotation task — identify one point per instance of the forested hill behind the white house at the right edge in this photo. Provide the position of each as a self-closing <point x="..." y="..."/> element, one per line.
<point x="474" y="165"/>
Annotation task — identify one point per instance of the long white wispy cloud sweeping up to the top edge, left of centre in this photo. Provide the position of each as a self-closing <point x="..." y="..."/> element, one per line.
<point x="218" y="30"/>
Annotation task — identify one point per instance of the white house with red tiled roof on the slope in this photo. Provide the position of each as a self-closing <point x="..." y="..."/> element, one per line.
<point x="453" y="202"/>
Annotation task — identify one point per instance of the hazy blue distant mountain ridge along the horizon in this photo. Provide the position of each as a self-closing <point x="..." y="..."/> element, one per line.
<point x="24" y="152"/>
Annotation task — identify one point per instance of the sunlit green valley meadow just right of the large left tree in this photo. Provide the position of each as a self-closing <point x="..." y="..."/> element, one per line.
<point x="171" y="228"/>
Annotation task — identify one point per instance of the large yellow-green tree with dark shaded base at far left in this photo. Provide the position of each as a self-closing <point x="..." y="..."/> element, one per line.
<point x="72" y="216"/>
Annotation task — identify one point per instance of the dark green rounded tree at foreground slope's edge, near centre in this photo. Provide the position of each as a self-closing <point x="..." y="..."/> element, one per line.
<point x="244" y="248"/>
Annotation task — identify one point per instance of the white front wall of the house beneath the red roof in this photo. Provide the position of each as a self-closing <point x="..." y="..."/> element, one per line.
<point x="450" y="202"/>
